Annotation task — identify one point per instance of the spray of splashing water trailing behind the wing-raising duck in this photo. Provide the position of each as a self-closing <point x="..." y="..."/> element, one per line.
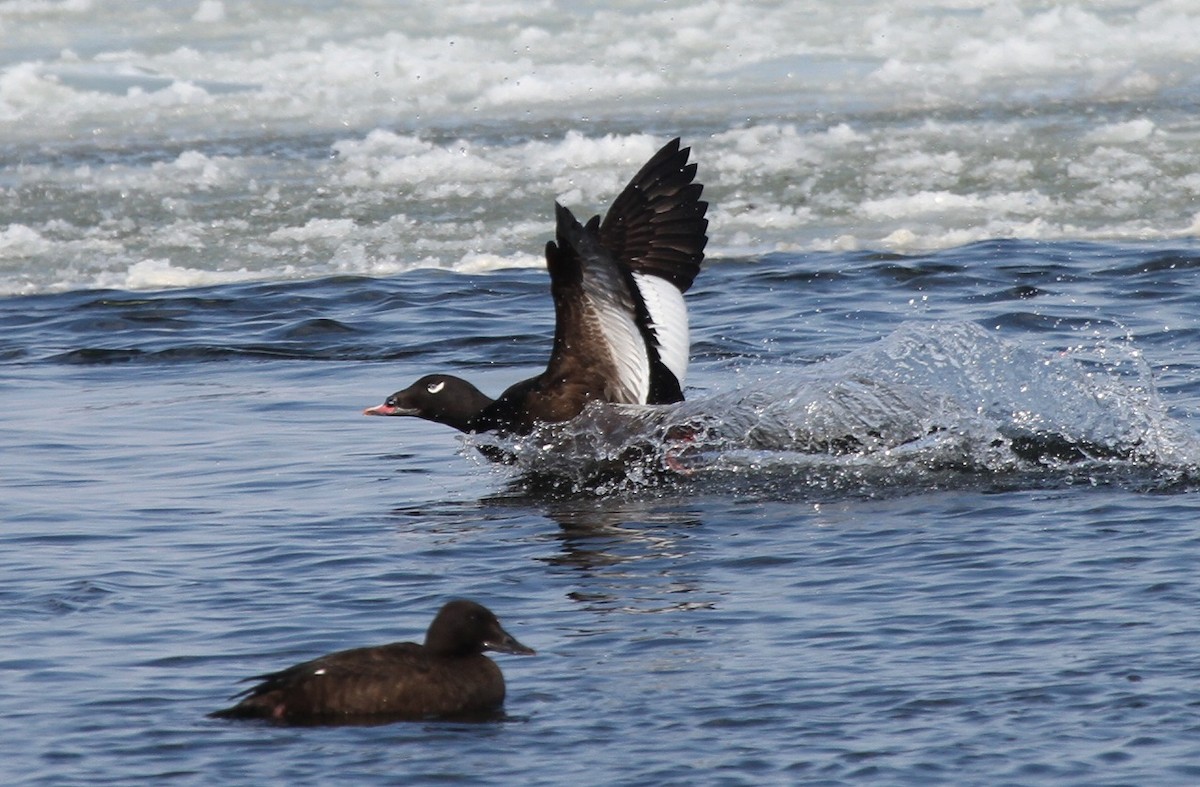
<point x="932" y="406"/>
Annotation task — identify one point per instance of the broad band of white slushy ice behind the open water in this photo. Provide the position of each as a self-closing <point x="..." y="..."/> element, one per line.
<point x="165" y="145"/>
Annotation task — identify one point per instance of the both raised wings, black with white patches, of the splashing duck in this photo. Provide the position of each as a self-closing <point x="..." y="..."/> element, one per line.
<point x="621" y="319"/>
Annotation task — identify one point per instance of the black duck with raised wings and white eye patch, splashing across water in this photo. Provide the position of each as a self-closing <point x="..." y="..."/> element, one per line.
<point x="621" y="323"/>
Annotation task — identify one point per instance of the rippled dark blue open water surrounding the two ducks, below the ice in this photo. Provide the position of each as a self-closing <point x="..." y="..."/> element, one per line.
<point x="191" y="497"/>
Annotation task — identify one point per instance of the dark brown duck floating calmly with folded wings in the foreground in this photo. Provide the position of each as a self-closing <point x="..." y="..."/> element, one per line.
<point x="448" y="676"/>
